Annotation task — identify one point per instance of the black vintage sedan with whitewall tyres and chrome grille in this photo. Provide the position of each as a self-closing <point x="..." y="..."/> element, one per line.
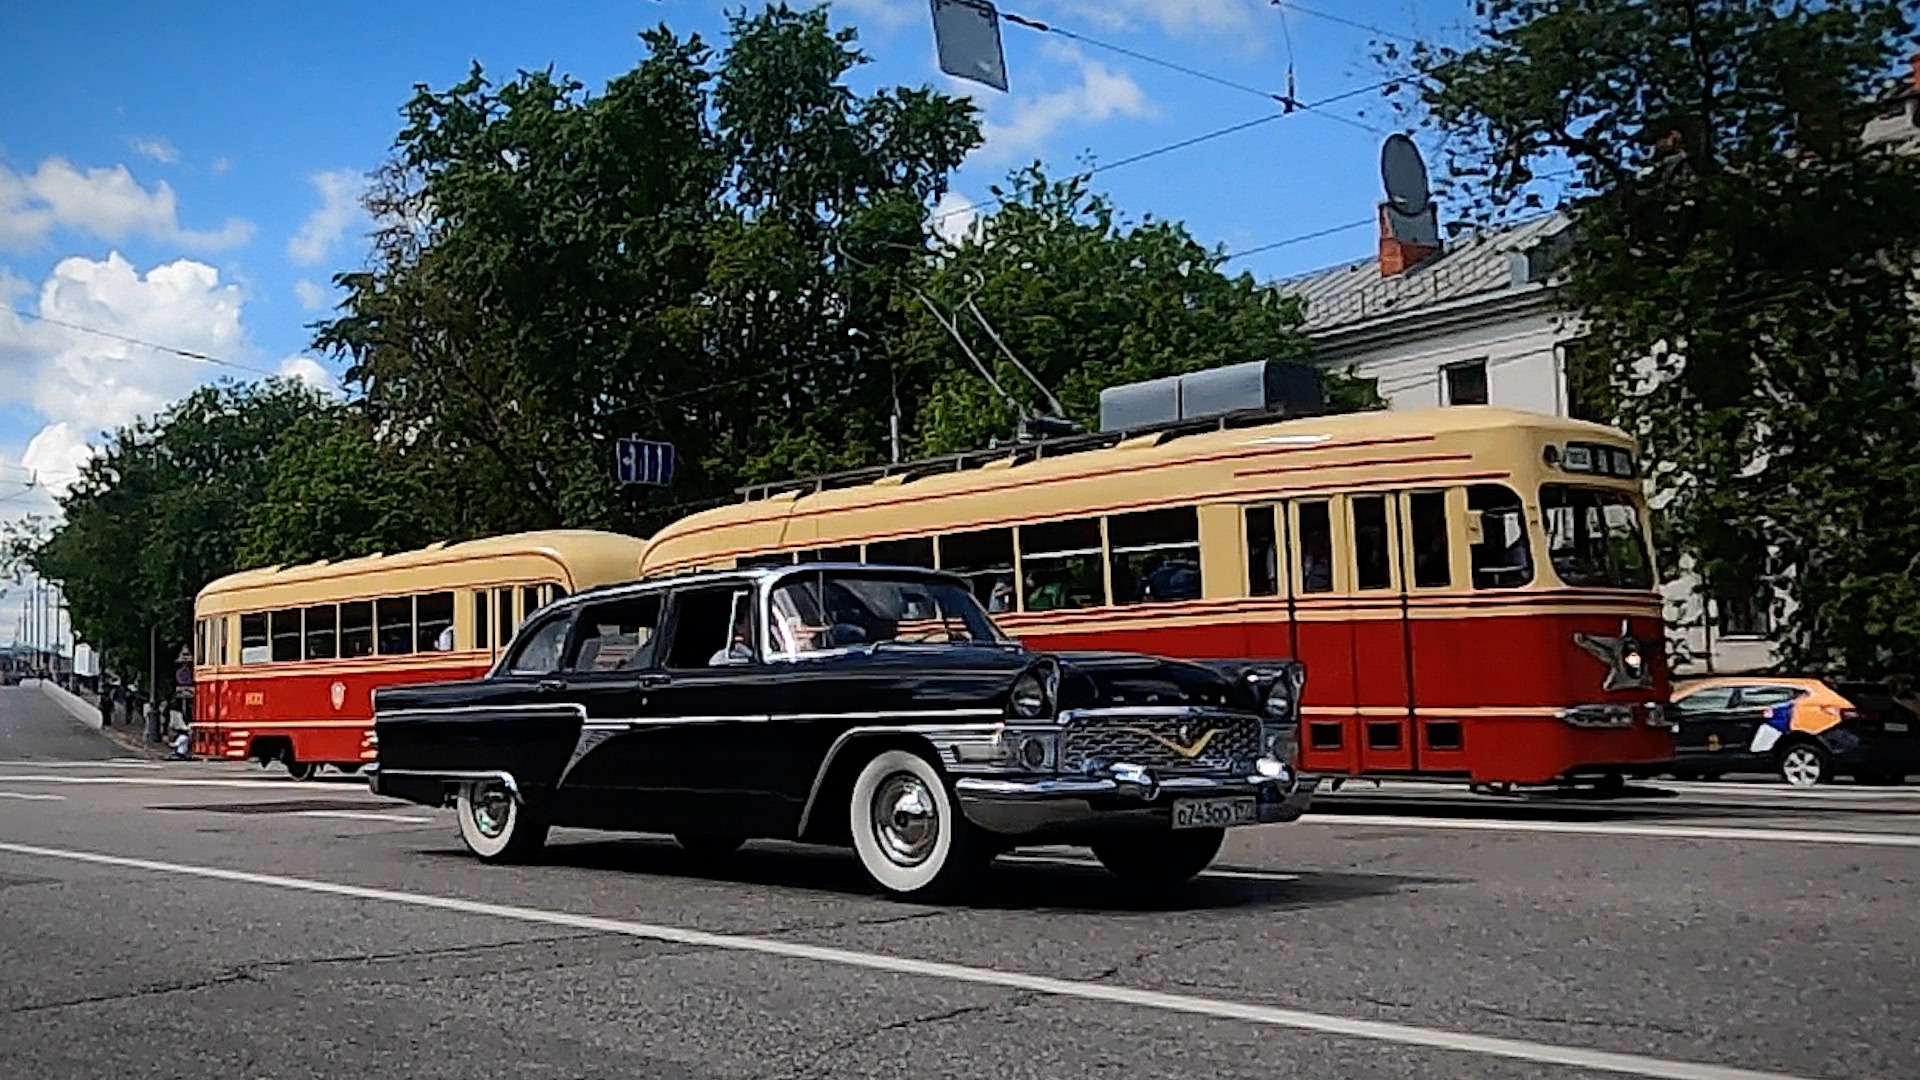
<point x="844" y="704"/>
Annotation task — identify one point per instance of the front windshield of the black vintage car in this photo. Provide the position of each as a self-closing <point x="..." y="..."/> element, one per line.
<point x="832" y="610"/>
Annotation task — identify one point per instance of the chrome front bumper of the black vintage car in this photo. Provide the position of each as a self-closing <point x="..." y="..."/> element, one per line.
<point x="1076" y="806"/>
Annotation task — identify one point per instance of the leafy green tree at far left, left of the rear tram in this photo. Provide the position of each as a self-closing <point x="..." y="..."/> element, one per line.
<point x="158" y="514"/>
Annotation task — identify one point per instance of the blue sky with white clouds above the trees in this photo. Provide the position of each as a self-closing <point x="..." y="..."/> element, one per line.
<point x="187" y="174"/>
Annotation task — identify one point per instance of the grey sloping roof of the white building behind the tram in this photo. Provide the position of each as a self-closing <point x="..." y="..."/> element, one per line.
<point x="1479" y="266"/>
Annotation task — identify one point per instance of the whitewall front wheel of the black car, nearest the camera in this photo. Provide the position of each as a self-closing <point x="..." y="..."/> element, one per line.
<point x="907" y="829"/>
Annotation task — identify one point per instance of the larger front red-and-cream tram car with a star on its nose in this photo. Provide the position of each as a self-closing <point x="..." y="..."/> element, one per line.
<point x="1472" y="589"/>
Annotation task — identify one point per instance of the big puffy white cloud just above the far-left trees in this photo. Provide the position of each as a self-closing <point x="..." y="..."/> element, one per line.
<point x="97" y="383"/>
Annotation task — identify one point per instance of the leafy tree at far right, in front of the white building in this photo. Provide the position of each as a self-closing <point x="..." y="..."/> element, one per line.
<point x="1748" y="264"/>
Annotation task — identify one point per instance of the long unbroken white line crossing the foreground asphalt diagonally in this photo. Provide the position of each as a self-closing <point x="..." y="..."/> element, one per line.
<point x="1107" y="994"/>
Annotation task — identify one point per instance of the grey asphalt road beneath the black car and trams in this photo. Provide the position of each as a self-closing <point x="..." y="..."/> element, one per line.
<point x="195" y="921"/>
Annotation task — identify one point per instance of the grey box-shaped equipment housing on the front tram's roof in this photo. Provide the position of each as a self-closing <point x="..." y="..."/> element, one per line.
<point x="1262" y="387"/>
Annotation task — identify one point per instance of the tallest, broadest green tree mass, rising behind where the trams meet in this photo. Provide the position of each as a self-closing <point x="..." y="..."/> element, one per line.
<point x="684" y="257"/>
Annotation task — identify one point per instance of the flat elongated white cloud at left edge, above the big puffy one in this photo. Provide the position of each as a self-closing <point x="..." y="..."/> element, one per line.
<point x="107" y="203"/>
